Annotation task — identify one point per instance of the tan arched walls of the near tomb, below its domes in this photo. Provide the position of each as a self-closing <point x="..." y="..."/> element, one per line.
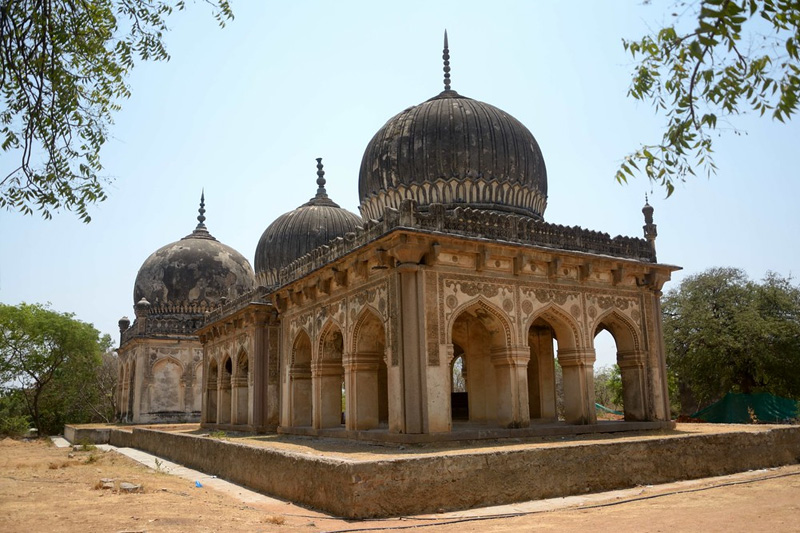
<point x="373" y="349"/>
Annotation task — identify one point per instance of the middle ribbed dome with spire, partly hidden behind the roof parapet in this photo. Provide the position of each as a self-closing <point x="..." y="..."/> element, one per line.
<point x="294" y="234"/>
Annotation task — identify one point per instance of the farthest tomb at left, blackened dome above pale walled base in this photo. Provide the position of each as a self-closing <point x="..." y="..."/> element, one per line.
<point x="161" y="370"/>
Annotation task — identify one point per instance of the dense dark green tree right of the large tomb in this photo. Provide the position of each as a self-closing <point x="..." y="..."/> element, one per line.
<point x="725" y="333"/>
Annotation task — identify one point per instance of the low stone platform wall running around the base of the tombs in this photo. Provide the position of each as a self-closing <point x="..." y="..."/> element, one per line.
<point x="441" y="480"/>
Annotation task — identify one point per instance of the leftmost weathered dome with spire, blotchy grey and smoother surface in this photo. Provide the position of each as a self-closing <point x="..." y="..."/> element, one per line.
<point x="197" y="270"/>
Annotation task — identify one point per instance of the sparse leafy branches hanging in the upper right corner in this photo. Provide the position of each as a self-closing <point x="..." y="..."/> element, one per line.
<point x="730" y="58"/>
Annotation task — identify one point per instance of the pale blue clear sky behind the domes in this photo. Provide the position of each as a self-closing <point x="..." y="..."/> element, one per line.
<point x="242" y="113"/>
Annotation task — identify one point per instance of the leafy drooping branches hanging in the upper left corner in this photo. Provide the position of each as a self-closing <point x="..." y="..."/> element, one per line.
<point x="63" y="70"/>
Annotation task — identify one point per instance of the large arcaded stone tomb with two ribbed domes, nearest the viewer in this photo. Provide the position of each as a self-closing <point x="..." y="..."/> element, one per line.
<point x="356" y="324"/>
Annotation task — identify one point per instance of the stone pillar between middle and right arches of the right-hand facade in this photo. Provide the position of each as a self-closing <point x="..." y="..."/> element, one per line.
<point x="578" y="372"/>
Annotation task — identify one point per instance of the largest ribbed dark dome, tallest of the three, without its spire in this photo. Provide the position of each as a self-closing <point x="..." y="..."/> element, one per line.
<point x="455" y="151"/>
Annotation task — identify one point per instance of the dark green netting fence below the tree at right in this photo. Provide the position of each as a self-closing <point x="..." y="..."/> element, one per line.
<point x="746" y="408"/>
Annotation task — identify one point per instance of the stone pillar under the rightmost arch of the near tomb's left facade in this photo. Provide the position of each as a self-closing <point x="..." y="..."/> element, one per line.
<point x="361" y="389"/>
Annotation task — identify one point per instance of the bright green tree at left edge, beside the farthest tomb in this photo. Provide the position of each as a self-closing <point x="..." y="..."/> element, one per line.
<point x="42" y="350"/>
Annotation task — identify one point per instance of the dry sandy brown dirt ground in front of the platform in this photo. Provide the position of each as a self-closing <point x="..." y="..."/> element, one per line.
<point x="44" y="488"/>
